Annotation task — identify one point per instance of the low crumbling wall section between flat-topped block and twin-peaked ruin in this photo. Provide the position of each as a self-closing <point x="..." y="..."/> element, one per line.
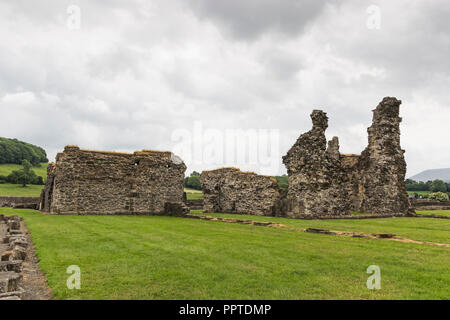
<point x="230" y="190"/>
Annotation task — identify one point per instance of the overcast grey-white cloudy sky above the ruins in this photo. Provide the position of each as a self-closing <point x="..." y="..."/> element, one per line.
<point x="188" y="75"/>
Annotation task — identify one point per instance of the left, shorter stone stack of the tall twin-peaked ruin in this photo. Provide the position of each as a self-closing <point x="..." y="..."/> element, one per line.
<point x="317" y="183"/>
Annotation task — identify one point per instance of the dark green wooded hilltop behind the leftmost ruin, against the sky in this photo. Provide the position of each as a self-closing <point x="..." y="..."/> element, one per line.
<point x="14" y="151"/>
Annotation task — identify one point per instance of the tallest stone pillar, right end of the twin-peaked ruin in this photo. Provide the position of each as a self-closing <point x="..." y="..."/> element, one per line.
<point x="381" y="167"/>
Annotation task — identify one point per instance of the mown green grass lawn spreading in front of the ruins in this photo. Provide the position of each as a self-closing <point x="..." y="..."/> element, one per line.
<point x="145" y="257"/>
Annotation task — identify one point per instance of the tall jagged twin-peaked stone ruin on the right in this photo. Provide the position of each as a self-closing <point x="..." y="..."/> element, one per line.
<point x="324" y="182"/>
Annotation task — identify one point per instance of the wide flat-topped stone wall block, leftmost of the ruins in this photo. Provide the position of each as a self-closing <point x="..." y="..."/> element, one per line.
<point x="100" y="182"/>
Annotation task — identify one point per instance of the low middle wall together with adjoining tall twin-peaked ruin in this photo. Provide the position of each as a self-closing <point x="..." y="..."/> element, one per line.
<point x="322" y="181"/>
